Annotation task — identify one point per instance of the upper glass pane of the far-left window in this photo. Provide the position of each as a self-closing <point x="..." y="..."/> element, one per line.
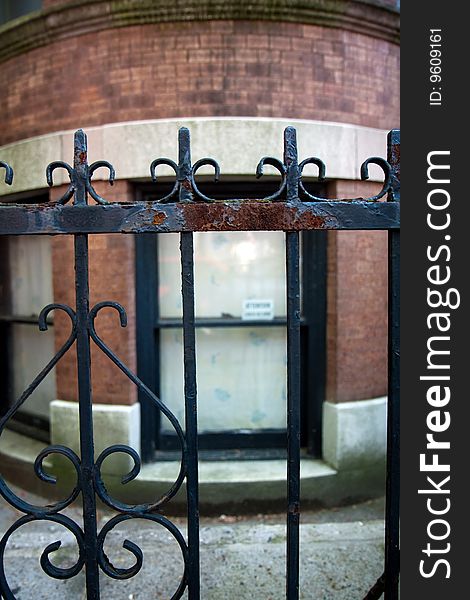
<point x="30" y="274"/>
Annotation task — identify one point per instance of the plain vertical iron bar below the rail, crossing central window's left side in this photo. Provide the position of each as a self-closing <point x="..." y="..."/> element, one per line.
<point x="190" y="395"/>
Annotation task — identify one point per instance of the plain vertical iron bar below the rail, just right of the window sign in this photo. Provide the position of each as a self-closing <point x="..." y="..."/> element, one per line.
<point x="293" y="413"/>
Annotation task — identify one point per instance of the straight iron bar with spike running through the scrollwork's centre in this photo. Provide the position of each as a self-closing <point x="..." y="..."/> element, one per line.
<point x="84" y="376"/>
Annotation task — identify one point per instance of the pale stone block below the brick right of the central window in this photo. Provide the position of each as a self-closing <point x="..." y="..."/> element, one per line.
<point x="355" y="433"/>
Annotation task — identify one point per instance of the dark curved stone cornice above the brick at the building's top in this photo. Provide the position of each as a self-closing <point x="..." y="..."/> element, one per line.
<point x="369" y="17"/>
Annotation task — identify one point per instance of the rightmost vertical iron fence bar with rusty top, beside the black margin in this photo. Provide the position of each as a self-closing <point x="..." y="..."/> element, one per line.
<point x="392" y="523"/>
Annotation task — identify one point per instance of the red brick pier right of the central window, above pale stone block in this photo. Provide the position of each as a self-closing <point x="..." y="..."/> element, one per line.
<point x="357" y="307"/>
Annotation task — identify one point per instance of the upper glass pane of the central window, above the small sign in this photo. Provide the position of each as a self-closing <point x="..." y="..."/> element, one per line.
<point x="229" y="268"/>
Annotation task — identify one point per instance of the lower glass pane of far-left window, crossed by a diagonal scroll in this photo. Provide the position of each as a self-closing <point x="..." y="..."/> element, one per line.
<point x="32" y="349"/>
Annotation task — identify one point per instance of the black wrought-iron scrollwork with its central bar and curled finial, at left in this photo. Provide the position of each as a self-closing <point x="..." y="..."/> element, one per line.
<point x="89" y="482"/>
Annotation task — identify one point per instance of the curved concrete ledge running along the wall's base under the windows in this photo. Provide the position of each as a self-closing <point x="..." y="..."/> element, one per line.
<point x="239" y="486"/>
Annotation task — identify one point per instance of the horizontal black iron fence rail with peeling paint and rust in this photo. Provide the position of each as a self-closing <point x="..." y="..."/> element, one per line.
<point x="243" y="215"/>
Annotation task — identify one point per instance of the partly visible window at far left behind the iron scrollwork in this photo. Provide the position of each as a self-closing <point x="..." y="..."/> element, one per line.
<point x="26" y="287"/>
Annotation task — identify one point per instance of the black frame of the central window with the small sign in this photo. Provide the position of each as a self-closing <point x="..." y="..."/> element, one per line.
<point x="232" y="444"/>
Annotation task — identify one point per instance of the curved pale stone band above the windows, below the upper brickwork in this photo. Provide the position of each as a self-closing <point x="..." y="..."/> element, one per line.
<point x="221" y="138"/>
